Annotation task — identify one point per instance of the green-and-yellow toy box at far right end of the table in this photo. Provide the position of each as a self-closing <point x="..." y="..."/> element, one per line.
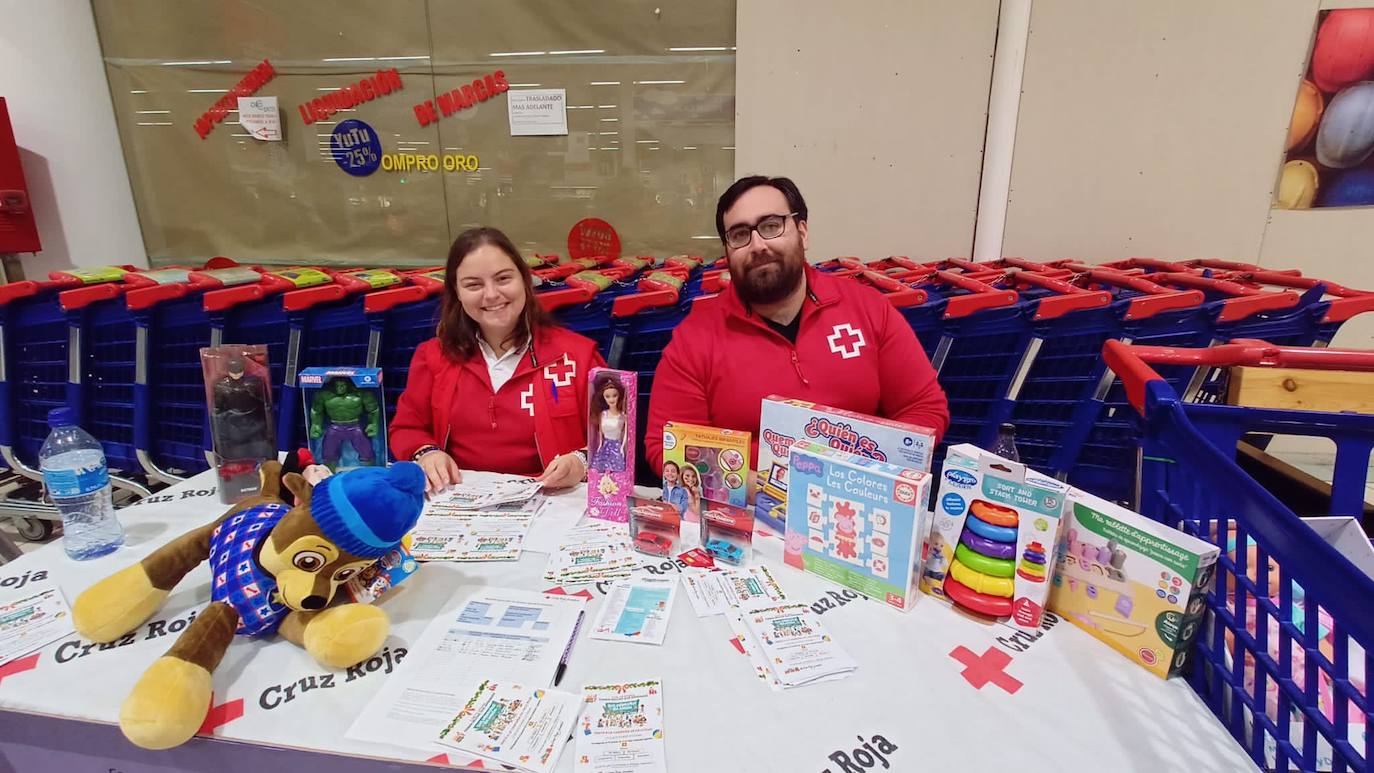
<point x="1133" y="583"/>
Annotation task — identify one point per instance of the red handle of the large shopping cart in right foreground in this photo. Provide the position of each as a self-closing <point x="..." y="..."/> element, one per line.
<point x="1133" y="363"/>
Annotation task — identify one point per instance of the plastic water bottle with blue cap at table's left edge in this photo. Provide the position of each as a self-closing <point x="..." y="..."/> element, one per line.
<point x="79" y="483"/>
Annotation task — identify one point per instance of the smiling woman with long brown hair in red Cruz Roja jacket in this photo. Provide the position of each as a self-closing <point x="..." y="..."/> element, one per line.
<point x="501" y="386"/>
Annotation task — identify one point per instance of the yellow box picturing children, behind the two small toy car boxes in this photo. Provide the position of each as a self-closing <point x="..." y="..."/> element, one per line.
<point x="711" y="461"/>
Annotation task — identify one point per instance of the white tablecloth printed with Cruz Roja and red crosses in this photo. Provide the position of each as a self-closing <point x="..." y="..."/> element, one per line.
<point x="1079" y="705"/>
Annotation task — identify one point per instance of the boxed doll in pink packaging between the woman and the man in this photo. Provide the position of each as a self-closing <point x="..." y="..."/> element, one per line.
<point x="611" y="443"/>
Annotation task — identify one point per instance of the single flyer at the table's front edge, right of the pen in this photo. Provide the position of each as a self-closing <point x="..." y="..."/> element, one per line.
<point x="622" y="728"/>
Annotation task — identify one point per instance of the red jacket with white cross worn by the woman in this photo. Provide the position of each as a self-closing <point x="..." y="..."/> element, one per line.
<point x="538" y="415"/>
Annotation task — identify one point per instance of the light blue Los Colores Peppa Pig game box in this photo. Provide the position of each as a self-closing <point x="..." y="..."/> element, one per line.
<point x="858" y="522"/>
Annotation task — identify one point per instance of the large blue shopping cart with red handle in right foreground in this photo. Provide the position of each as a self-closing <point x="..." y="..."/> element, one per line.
<point x="1289" y="693"/>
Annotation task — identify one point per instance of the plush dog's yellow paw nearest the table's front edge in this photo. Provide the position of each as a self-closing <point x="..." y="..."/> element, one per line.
<point x="168" y="705"/>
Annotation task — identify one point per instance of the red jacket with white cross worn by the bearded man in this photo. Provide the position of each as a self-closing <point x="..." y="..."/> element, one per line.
<point x="854" y="352"/>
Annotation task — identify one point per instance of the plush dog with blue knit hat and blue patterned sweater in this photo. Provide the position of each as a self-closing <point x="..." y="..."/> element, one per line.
<point x="275" y="569"/>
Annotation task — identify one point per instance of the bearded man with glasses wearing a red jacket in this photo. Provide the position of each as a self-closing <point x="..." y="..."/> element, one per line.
<point x="785" y="329"/>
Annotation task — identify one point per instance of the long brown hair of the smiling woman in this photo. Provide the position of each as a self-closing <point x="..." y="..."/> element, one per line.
<point x="457" y="332"/>
